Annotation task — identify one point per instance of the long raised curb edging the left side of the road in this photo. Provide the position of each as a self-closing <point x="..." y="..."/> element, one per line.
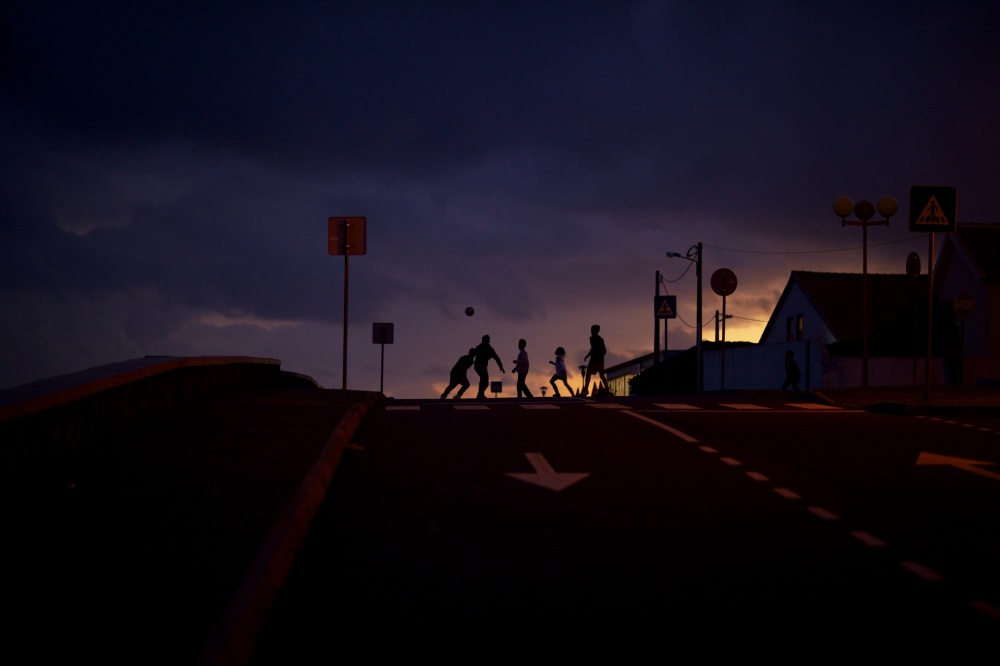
<point x="233" y="640"/>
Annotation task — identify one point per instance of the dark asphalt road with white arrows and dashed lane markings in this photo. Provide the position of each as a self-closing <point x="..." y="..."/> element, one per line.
<point x="647" y="527"/>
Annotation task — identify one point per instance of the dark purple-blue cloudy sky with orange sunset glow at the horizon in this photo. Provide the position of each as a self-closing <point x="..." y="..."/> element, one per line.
<point x="169" y="169"/>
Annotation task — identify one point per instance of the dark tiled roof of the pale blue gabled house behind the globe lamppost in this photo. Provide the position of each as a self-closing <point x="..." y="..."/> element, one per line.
<point x="838" y="298"/>
